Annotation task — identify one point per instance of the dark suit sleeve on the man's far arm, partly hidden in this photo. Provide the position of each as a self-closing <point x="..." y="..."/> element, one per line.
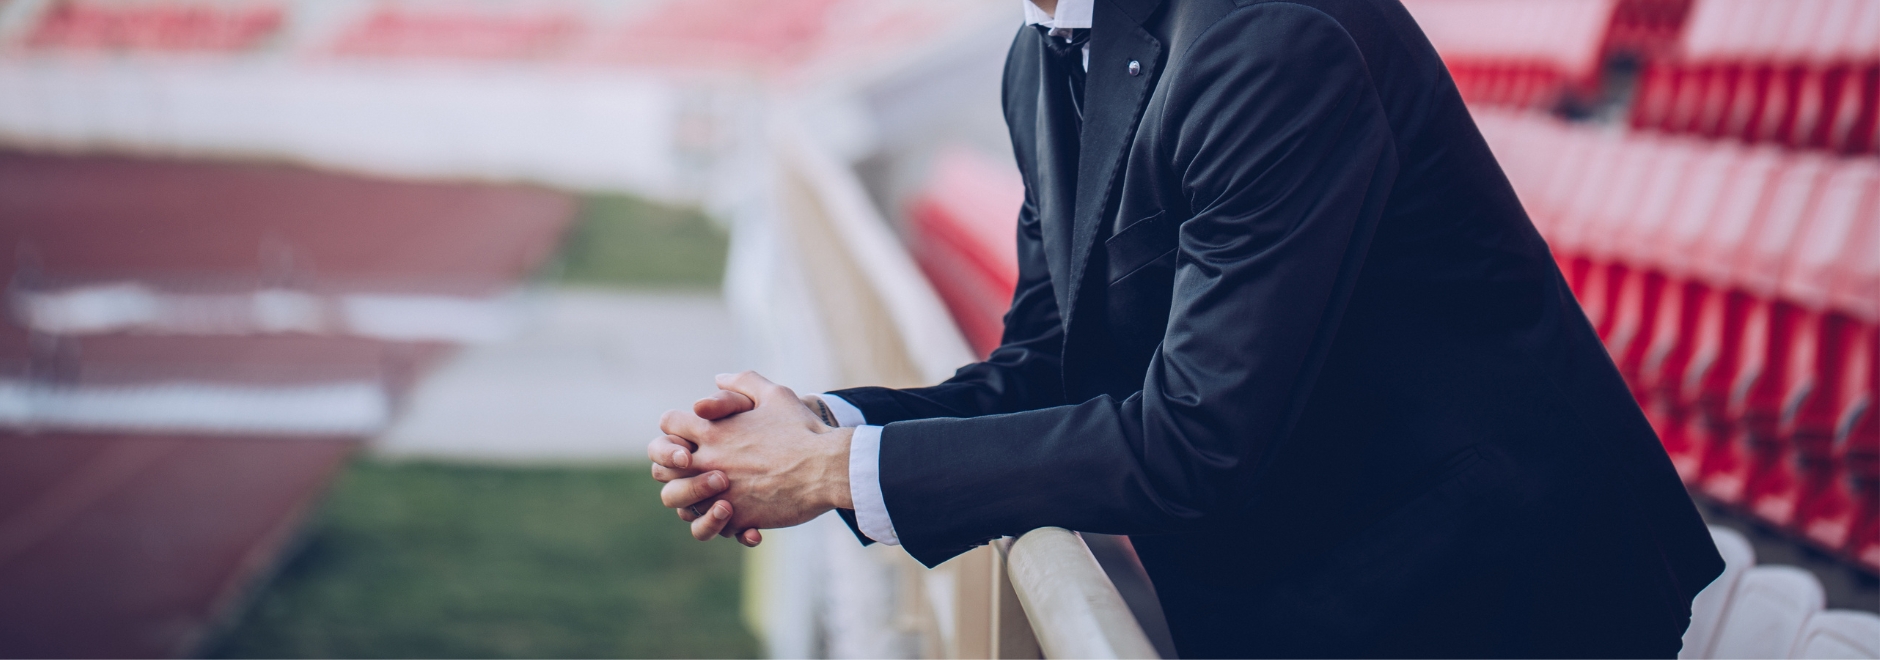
<point x="1024" y="371"/>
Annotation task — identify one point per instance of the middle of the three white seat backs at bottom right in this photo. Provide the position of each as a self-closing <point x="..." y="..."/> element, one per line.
<point x="1768" y="612"/>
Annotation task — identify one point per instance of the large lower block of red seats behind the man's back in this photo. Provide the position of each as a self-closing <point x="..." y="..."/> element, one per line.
<point x="1740" y="294"/>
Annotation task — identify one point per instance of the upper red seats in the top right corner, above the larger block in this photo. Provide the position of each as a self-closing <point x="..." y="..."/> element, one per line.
<point x="1804" y="74"/>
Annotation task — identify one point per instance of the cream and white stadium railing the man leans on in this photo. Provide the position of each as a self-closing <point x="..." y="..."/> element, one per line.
<point x="881" y="322"/>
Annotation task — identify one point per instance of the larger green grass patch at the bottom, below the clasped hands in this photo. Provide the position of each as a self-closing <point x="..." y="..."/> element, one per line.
<point x="445" y="561"/>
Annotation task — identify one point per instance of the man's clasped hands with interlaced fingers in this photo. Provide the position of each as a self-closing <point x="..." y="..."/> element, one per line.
<point x="751" y="456"/>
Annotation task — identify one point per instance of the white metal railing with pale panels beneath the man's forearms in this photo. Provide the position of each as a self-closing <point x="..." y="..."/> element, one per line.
<point x="873" y="319"/>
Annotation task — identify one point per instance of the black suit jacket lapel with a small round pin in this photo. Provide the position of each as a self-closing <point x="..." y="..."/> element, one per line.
<point x="1114" y="104"/>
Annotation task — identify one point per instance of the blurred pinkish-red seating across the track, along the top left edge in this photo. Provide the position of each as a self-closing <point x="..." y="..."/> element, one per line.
<point x="650" y="33"/>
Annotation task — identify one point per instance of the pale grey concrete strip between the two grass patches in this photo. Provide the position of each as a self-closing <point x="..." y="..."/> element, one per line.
<point x="586" y="379"/>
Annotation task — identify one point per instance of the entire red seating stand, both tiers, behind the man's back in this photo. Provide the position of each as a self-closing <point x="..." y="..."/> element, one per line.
<point x="1727" y="245"/>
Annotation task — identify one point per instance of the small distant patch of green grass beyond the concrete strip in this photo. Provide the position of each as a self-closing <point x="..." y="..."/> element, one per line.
<point x="631" y="242"/>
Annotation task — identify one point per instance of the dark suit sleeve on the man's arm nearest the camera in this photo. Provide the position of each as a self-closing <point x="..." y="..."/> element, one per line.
<point x="1285" y="159"/>
